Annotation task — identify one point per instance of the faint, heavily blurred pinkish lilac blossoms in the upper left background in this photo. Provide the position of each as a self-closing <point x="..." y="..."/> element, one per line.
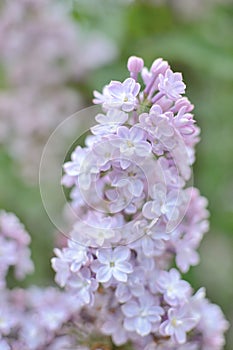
<point x="41" y="59"/>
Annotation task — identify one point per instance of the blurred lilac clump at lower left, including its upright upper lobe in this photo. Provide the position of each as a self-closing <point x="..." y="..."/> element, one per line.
<point x="34" y="318"/>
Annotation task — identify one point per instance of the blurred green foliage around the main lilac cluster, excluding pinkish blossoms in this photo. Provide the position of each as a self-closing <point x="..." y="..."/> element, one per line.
<point x="198" y="42"/>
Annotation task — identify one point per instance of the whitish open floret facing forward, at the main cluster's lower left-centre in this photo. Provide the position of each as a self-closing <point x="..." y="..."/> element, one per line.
<point x="113" y="263"/>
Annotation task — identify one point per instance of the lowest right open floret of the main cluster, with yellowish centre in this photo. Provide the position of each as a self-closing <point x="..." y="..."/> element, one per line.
<point x="179" y="322"/>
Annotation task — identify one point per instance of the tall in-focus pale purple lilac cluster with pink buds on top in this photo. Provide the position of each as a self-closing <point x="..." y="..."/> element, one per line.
<point x="136" y="216"/>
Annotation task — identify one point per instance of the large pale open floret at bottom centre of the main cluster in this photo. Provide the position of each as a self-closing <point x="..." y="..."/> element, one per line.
<point x="142" y="315"/>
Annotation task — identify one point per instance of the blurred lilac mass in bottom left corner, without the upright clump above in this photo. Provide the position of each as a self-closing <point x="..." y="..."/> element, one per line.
<point x="34" y="318"/>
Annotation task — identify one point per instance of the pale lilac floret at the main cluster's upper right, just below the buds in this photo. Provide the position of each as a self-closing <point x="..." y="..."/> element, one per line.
<point x="171" y="84"/>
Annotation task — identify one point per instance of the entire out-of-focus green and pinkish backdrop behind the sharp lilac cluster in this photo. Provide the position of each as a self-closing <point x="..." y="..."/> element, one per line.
<point x="53" y="54"/>
